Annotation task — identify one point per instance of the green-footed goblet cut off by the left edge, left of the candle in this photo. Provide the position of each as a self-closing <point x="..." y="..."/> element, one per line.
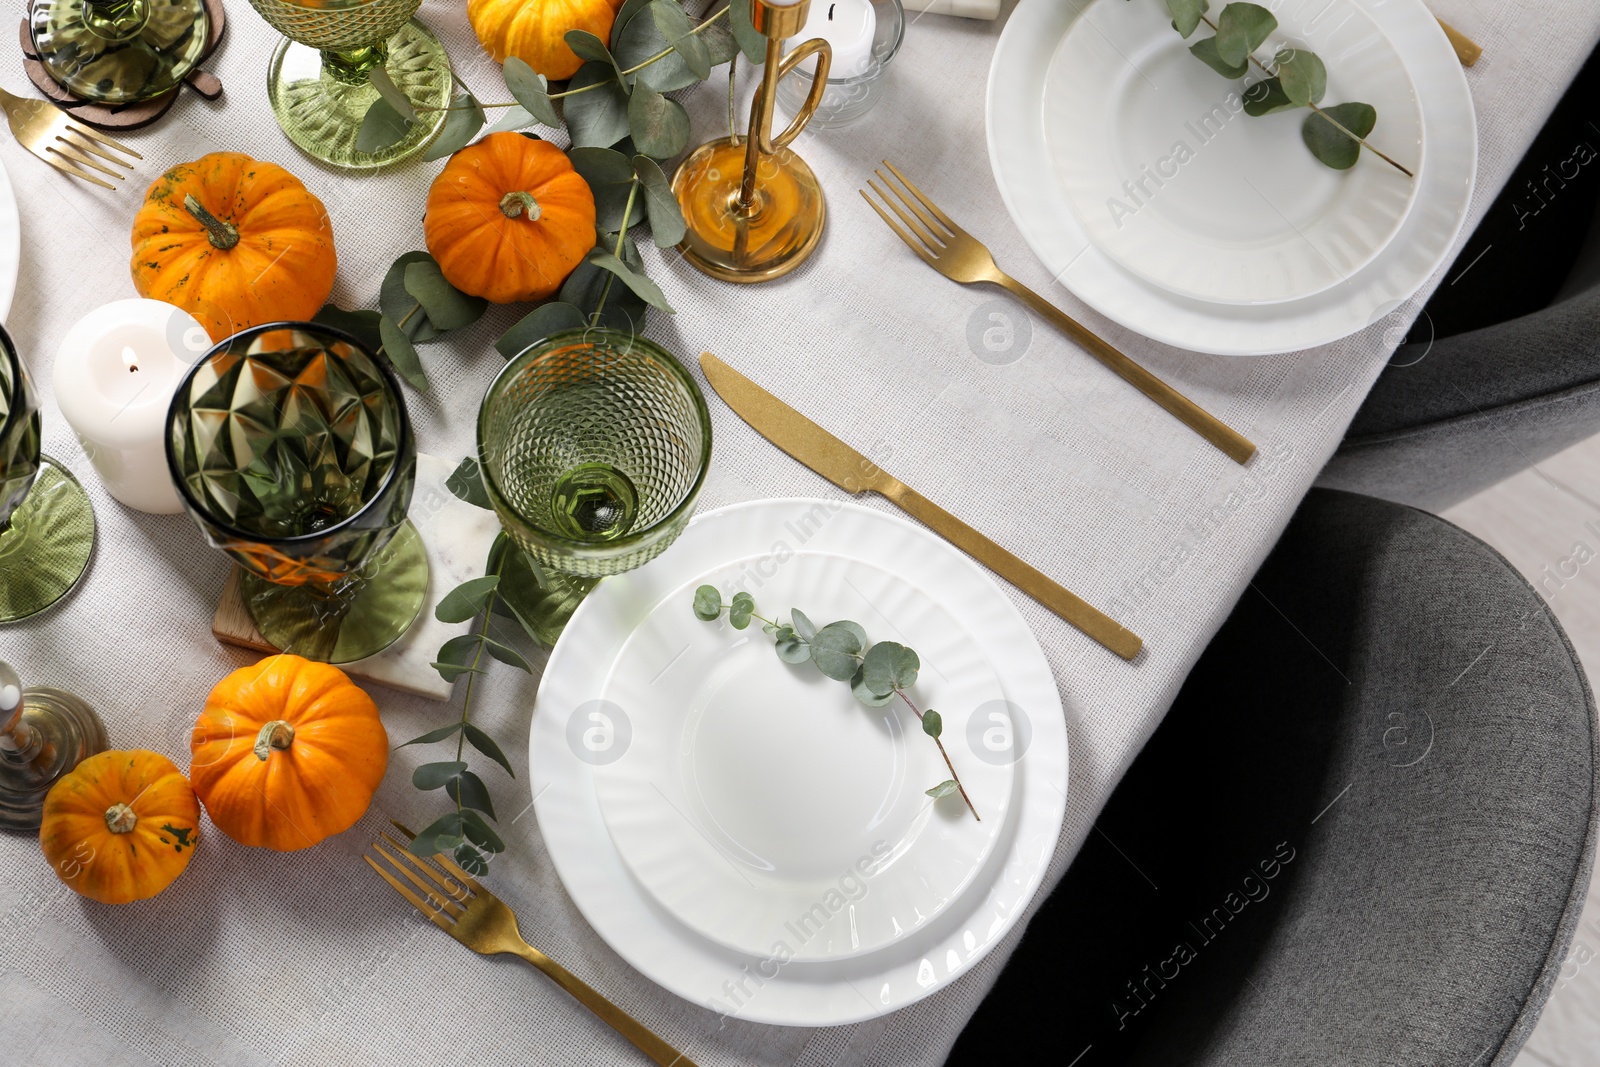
<point x="47" y="526"/>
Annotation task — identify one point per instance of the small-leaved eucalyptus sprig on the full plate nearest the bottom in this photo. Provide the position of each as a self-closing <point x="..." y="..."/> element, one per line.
<point x="878" y="673"/>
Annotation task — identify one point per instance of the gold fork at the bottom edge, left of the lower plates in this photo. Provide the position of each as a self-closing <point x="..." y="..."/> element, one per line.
<point x="482" y="922"/>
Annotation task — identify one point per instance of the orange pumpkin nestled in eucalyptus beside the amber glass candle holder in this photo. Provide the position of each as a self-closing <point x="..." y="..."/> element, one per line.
<point x="510" y="218"/>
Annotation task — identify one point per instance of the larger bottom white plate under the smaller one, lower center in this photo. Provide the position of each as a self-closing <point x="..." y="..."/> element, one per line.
<point x="575" y="730"/>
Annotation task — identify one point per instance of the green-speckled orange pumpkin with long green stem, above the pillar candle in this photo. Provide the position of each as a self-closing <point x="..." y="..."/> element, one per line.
<point x="234" y="242"/>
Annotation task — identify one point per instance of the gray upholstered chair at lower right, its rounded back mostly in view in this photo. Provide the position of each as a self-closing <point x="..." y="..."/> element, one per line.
<point x="1362" y="836"/>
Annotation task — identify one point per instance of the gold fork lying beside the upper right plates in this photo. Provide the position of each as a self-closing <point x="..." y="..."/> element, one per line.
<point x="962" y="258"/>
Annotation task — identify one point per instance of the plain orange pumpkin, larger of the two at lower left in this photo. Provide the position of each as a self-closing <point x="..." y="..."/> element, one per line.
<point x="287" y="753"/>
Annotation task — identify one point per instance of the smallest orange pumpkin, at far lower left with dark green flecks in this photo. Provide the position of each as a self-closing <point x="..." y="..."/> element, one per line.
<point x="121" y="826"/>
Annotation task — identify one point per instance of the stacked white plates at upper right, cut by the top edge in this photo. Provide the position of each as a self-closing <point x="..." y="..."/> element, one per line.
<point x="1135" y="174"/>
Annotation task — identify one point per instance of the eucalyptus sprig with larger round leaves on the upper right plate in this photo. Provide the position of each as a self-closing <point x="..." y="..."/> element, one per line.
<point x="1295" y="79"/>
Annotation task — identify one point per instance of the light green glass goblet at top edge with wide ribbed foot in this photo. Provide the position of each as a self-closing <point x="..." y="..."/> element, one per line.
<point x="319" y="81"/>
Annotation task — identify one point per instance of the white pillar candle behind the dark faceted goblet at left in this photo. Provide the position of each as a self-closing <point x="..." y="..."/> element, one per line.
<point x="116" y="377"/>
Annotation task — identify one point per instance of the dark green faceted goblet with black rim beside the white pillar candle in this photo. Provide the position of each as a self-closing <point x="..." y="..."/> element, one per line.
<point x="292" y="449"/>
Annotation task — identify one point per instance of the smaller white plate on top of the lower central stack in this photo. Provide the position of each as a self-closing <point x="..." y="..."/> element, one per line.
<point x="761" y="801"/>
